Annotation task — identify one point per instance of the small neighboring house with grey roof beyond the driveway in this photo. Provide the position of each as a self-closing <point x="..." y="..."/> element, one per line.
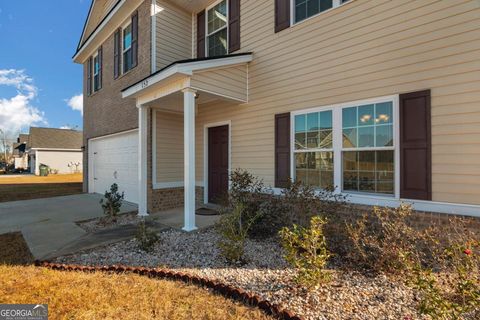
<point x="59" y="149"/>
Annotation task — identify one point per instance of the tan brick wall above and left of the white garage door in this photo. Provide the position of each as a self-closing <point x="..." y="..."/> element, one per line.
<point x="106" y="112"/>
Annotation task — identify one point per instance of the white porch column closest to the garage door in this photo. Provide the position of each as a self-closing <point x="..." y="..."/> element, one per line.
<point x="142" y="159"/>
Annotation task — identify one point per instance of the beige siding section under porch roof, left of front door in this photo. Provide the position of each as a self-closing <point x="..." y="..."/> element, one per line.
<point x="169" y="152"/>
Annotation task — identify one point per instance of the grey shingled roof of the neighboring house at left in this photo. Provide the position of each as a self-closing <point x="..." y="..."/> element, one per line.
<point x="50" y="138"/>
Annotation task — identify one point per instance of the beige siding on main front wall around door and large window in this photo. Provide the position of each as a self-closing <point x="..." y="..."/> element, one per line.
<point x="363" y="49"/>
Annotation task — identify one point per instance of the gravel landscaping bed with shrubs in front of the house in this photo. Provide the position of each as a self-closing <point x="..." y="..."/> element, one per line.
<point x="316" y="255"/>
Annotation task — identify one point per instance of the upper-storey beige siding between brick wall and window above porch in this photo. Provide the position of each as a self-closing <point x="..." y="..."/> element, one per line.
<point x="173" y="34"/>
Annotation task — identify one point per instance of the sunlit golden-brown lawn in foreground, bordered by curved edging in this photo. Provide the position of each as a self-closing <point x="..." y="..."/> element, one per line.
<point x="76" y="295"/>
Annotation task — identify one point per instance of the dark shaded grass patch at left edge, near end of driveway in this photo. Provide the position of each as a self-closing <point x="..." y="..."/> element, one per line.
<point x="14" y="249"/>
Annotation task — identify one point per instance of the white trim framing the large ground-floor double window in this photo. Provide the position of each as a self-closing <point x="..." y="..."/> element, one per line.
<point x="338" y="145"/>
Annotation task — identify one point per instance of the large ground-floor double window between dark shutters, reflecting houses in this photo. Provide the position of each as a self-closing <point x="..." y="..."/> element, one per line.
<point x="361" y="139"/>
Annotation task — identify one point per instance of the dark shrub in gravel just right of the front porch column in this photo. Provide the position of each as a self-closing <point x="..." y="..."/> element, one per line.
<point x="233" y="228"/>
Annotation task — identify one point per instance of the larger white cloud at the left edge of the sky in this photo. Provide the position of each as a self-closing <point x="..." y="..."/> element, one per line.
<point x="17" y="113"/>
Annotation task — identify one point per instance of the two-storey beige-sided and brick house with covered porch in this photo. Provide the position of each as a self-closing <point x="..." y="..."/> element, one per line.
<point x="378" y="98"/>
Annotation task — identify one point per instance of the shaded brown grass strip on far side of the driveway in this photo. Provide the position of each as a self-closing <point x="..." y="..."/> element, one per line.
<point x="15" y="192"/>
